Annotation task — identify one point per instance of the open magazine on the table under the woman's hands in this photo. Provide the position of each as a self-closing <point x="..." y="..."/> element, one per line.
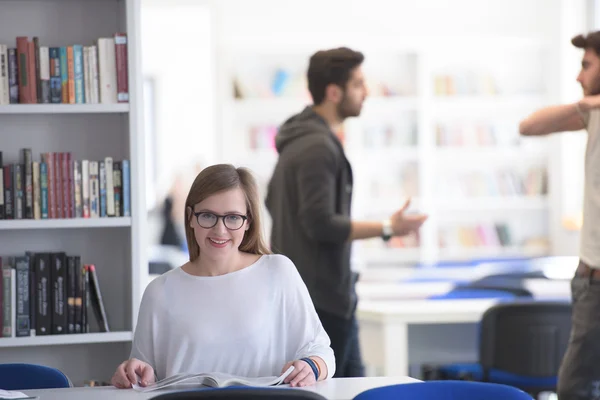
<point x="215" y="379"/>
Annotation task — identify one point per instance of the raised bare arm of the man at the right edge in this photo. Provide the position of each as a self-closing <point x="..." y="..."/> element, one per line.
<point x="569" y="117"/>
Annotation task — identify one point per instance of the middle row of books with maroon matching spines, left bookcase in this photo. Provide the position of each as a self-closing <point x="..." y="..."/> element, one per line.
<point x="60" y="187"/>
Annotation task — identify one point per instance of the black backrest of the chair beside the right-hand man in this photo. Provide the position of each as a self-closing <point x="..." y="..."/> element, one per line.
<point x="525" y="338"/>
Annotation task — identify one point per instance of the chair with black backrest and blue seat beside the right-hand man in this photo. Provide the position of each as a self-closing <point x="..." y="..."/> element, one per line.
<point x="521" y="345"/>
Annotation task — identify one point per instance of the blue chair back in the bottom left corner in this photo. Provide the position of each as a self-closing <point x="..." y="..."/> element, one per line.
<point x="31" y="376"/>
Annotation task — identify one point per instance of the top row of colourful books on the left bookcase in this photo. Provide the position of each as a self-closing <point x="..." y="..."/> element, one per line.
<point x="76" y="74"/>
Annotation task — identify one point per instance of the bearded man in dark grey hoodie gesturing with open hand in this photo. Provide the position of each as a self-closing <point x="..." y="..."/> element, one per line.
<point x="310" y="194"/>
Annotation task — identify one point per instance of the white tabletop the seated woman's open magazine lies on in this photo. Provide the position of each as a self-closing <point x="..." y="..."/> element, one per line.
<point x="335" y="389"/>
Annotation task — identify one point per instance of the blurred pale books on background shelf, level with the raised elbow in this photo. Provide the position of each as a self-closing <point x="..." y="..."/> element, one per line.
<point x="477" y="134"/>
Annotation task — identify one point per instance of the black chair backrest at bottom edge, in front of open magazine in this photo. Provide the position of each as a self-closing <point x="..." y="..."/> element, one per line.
<point x="241" y="393"/>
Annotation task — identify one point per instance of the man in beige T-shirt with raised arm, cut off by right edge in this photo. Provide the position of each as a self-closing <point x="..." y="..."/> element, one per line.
<point x="579" y="375"/>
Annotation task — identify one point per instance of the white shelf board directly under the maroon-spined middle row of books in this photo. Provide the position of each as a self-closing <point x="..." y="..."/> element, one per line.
<point x="65" y="223"/>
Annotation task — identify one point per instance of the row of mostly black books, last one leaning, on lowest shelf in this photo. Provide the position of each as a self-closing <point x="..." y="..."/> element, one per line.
<point x="48" y="294"/>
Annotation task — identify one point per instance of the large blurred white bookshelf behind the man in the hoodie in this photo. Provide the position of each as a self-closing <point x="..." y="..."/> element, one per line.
<point x="440" y="125"/>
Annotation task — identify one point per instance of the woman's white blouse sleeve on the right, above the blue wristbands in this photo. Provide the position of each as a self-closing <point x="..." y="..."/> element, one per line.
<point x="305" y="330"/>
